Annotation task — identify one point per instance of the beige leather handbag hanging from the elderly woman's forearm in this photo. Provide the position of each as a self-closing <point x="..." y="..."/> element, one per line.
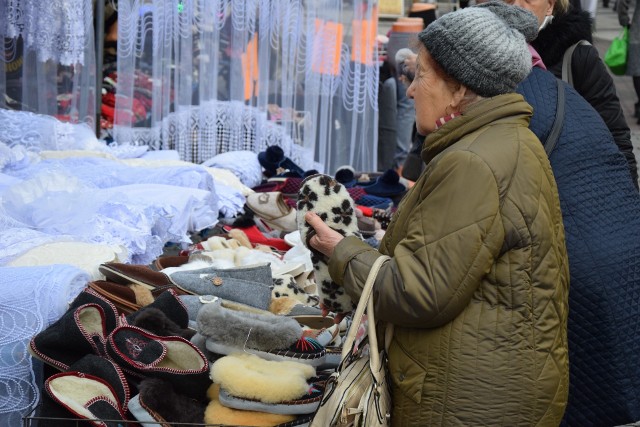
<point x="358" y="393"/>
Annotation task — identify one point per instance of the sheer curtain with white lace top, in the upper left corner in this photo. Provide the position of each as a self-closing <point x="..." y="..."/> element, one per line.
<point x="48" y="60"/>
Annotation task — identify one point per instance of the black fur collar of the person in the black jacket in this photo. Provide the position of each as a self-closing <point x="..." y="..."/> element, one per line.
<point x="564" y="31"/>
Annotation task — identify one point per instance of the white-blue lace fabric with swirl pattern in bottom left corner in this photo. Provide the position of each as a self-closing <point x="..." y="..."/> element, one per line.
<point x="32" y="299"/>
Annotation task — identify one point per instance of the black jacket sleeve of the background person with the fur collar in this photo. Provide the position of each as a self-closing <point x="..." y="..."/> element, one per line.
<point x="597" y="87"/>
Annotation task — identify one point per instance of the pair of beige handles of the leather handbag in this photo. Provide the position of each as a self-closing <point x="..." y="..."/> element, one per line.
<point x="366" y="303"/>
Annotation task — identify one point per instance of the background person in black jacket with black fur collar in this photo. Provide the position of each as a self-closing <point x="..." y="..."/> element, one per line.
<point x="561" y="27"/>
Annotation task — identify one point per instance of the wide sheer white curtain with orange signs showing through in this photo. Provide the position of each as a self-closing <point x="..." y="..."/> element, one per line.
<point x="227" y="75"/>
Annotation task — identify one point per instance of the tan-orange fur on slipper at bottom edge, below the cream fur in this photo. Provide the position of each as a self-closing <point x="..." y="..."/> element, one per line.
<point x="217" y="414"/>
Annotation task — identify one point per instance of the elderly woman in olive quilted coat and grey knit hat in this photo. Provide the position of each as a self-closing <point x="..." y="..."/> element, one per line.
<point x="478" y="281"/>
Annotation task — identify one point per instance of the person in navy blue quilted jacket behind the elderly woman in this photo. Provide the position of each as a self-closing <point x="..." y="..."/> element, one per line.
<point x="601" y="214"/>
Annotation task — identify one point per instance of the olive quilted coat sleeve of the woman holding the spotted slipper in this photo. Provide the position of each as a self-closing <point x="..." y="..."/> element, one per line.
<point x="453" y="236"/>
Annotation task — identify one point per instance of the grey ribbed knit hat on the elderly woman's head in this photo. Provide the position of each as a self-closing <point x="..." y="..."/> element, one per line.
<point x="479" y="49"/>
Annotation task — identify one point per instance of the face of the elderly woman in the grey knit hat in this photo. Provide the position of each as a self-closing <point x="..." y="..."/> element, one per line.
<point x="431" y="94"/>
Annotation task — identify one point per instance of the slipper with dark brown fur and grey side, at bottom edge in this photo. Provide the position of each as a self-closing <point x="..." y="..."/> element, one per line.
<point x="159" y="404"/>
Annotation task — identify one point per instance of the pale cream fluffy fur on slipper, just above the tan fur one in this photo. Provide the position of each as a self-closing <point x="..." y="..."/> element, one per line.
<point x="251" y="377"/>
